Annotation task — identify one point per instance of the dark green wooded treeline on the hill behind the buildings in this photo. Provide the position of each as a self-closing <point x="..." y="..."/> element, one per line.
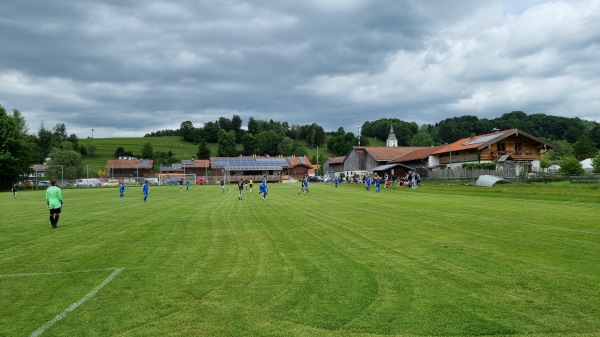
<point x="573" y="136"/>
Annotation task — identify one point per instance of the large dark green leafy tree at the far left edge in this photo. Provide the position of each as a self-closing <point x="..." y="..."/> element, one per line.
<point x="15" y="156"/>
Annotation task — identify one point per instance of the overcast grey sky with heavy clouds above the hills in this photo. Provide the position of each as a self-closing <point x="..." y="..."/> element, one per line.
<point x="129" y="67"/>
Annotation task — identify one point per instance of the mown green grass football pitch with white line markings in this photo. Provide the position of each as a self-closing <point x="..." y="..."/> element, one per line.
<point x="440" y="260"/>
